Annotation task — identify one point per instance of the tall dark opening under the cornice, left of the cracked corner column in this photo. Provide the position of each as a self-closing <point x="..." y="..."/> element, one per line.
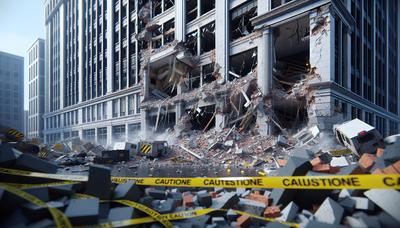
<point x="290" y="69"/>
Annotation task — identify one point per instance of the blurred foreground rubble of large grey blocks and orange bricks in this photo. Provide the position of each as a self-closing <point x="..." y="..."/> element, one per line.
<point x="88" y="203"/>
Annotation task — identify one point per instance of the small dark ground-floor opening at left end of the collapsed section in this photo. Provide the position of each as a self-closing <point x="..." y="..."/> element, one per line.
<point x="162" y="120"/>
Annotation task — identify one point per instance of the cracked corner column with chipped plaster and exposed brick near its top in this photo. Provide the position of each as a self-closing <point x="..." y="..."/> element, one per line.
<point x="322" y="44"/>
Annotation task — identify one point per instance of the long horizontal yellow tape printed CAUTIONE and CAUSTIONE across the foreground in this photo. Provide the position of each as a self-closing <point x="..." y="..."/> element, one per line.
<point x="386" y="181"/>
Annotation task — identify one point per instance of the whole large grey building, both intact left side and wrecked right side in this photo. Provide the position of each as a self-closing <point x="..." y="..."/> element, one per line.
<point x="144" y="67"/>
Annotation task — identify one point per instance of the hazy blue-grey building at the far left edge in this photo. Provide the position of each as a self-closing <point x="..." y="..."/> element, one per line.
<point x="12" y="91"/>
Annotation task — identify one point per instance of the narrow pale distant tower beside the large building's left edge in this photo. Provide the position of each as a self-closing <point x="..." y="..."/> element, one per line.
<point x="36" y="71"/>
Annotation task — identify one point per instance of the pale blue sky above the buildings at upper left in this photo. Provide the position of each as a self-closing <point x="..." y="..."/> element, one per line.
<point x="21" y="23"/>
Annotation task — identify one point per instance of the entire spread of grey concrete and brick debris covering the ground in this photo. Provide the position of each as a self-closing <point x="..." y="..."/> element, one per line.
<point x="230" y="151"/>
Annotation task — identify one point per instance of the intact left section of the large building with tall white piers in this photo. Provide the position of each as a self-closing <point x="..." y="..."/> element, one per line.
<point x="92" y="83"/>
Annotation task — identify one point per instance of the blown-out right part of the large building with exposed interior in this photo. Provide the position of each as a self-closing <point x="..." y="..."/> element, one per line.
<point x="279" y="64"/>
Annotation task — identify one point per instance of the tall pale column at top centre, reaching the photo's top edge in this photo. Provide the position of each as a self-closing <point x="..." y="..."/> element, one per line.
<point x="222" y="37"/>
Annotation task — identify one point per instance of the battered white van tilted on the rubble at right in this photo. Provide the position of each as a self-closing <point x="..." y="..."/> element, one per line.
<point x="358" y="136"/>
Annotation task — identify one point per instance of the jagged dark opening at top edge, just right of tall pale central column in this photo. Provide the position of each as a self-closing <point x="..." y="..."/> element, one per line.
<point x="240" y="19"/>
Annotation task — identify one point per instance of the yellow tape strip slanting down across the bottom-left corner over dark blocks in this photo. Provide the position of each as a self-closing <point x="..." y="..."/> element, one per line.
<point x="59" y="218"/>
